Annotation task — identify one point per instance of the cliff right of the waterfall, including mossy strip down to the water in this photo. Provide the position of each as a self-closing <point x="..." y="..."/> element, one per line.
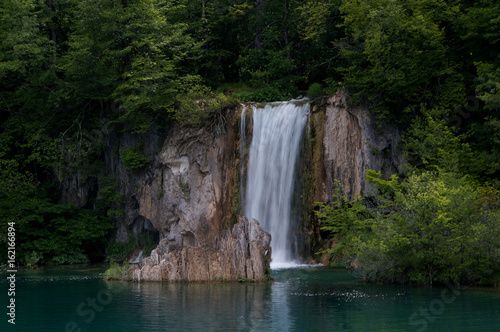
<point x="345" y="142"/>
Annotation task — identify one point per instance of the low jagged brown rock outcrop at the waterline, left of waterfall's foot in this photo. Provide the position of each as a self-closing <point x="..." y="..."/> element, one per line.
<point x="244" y="252"/>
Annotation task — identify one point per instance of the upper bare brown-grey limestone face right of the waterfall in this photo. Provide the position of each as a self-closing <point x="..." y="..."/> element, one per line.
<point x="353" y="142"/>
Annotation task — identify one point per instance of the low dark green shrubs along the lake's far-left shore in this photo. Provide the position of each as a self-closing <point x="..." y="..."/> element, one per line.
<point x="51" y="233"/>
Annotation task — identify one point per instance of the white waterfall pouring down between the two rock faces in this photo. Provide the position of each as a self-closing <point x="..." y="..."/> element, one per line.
<point x="277" y="132"/>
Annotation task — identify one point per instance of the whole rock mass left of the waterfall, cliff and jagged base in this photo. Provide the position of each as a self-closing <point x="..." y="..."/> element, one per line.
<point x="188" y="194"/>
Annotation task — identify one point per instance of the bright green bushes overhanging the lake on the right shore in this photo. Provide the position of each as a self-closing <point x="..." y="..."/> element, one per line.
<point x="430" y="228"/>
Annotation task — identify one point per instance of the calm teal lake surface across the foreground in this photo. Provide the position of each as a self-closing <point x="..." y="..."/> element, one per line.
<point x="300" y="299"/>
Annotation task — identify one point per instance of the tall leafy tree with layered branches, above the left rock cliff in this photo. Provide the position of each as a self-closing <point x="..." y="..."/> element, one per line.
<point x="130" y="53"/>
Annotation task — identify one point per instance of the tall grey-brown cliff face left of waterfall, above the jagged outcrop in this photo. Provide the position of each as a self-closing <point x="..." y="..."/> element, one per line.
<point x="188" y="193"/>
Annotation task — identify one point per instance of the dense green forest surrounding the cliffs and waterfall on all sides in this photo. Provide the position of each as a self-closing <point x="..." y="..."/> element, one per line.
<point x="74" y="70"/>
